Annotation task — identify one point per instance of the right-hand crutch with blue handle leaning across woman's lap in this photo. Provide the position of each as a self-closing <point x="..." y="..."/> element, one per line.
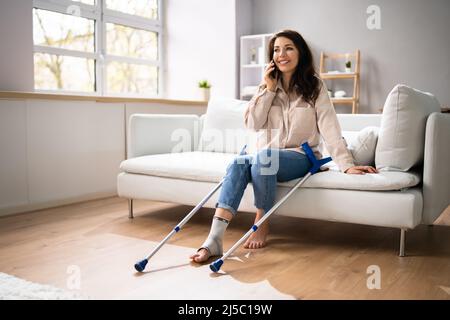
<point x="316" y="164"/>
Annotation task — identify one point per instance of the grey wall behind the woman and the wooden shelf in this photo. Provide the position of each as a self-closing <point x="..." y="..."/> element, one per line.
<point x="412" y="47"/>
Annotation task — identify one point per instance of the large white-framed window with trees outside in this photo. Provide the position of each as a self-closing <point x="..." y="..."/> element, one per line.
<point x="104" y="47"/>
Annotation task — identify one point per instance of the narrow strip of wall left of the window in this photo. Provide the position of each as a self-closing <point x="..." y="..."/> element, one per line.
<point x="16" y="45"/>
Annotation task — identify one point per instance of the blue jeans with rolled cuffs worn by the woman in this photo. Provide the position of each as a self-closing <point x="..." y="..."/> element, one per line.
<point x="264" y="170"/>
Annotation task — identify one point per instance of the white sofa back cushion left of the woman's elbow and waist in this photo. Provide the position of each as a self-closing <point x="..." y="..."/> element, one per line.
<point x="223" y="126"/>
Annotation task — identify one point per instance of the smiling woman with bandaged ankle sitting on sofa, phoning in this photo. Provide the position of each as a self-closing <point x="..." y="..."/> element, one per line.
<point x="291" y="106"/>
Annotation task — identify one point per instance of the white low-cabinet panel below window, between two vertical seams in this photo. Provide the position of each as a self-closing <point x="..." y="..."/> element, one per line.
<point x="74" y="149"/>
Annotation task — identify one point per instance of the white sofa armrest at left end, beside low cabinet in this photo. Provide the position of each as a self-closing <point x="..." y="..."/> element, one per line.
<point x="161" y="133"/>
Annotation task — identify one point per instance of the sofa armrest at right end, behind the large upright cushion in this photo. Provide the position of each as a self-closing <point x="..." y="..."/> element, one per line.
<point x="436" y="170"/>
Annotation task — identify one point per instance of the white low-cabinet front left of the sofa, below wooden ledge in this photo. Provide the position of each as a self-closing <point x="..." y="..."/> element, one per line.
<point x="54" y="152"/>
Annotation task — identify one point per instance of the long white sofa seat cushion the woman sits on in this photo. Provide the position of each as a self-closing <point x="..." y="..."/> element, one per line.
<point x="211" y="167"/>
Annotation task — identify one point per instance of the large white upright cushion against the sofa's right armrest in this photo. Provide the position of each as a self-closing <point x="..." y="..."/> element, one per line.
<point x="402" y="133"/>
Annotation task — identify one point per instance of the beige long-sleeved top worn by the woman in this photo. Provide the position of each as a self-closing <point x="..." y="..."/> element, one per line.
<point x="285" y="122"/>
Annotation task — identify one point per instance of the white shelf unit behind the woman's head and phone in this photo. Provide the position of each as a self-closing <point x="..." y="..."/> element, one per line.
<point x="252" y="64"/>
